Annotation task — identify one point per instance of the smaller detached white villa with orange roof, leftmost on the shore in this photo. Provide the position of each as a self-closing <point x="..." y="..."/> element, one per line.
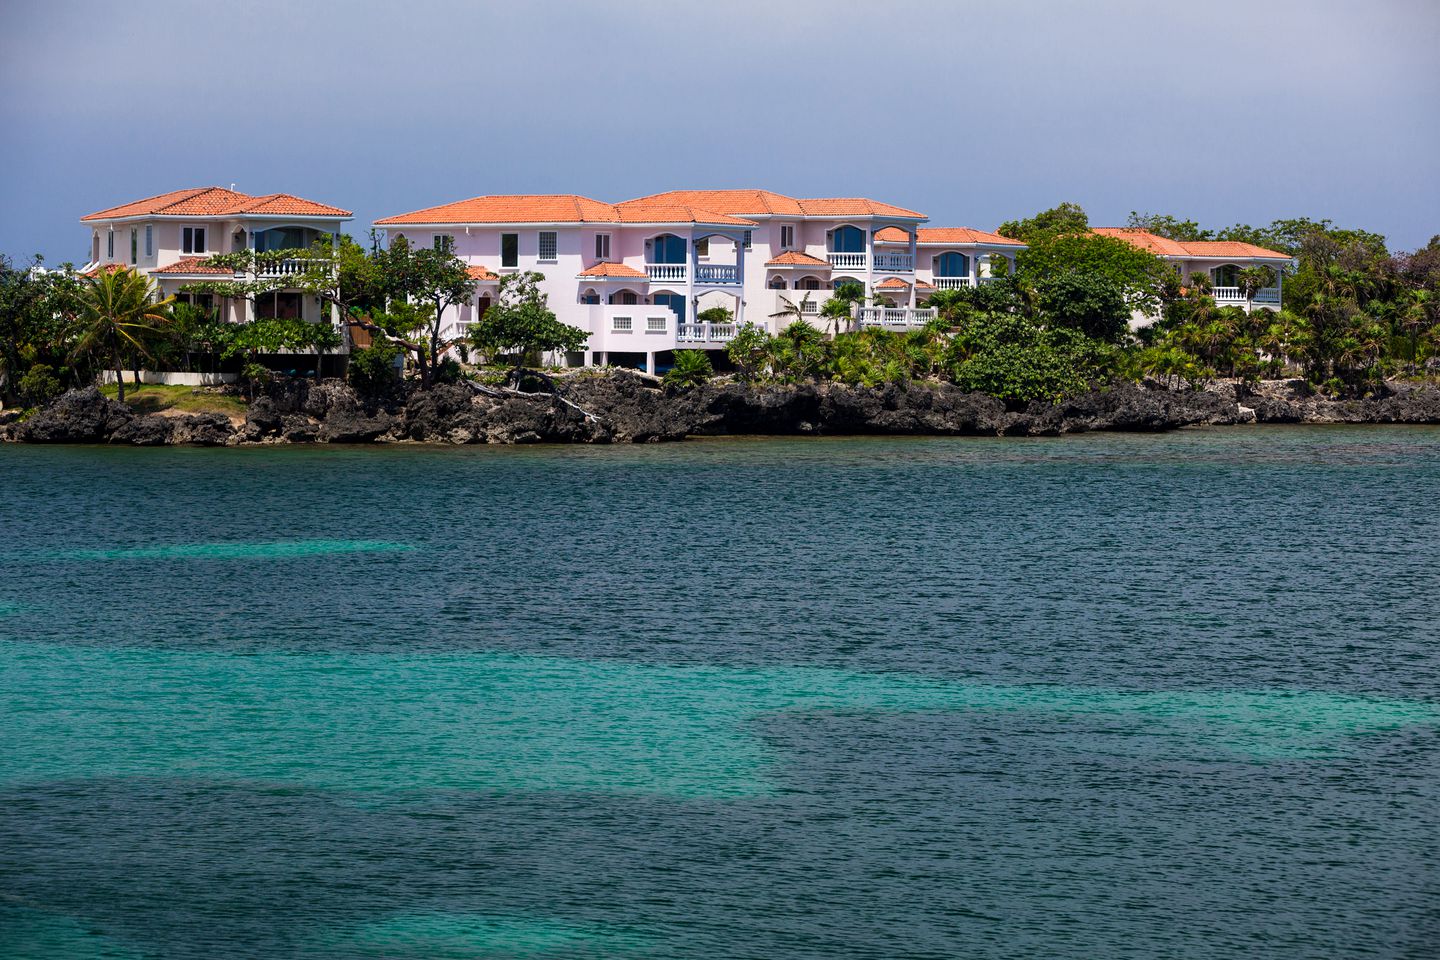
<point x="169" y="238"/>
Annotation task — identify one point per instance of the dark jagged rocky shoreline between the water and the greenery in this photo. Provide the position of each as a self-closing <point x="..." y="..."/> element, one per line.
<point x="627" y="408"/>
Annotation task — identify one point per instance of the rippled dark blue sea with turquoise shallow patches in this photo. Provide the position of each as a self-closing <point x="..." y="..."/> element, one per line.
<point x="1089" y="697"/>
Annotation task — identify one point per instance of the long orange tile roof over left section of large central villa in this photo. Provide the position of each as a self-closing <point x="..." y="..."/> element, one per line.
<point x="559" y="208"/>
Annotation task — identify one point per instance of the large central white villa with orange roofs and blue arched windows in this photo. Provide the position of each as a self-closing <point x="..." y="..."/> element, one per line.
<point x="639" y="274"/>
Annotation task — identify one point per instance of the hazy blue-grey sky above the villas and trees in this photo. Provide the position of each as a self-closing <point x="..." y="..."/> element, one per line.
<point x="973" y="113"/>
